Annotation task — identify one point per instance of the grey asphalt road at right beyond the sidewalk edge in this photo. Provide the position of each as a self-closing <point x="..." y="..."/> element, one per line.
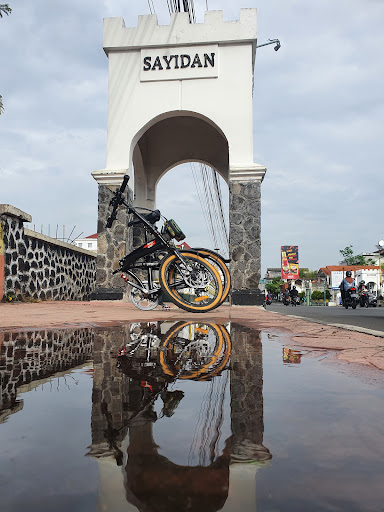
<point x="370" y="319"/>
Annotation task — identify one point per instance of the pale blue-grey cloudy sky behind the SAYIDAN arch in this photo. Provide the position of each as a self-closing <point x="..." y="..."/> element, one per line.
<point x="318" y="120"/>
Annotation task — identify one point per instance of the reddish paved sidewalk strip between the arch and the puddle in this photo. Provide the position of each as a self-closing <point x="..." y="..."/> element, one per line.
<point x="349" y="346"/>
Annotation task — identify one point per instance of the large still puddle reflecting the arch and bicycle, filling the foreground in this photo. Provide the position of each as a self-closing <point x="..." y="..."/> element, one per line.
<point x="184" y="416"/>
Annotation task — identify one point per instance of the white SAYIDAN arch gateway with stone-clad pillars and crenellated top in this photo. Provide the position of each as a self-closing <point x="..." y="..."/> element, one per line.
<point x="182" y="93"/>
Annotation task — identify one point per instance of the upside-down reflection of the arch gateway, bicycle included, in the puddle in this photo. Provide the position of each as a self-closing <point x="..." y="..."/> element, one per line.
<point x="123" y="399"/>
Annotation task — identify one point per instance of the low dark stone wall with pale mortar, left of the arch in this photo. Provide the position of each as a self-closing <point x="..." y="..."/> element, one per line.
<point x="41" y="267"/>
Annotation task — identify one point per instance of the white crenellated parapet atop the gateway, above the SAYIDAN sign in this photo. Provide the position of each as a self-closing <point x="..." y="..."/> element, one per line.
<point x="180" y="32"/>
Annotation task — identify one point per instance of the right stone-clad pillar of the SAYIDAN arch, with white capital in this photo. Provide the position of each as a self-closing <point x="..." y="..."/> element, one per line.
<point x="244" y="235"/>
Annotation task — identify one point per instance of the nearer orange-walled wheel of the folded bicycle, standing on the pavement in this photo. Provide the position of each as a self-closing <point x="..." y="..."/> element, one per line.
<point x="204" y="277"/>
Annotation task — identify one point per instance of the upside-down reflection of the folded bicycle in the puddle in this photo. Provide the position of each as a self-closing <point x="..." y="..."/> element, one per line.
<point x="189" y="350"/>
